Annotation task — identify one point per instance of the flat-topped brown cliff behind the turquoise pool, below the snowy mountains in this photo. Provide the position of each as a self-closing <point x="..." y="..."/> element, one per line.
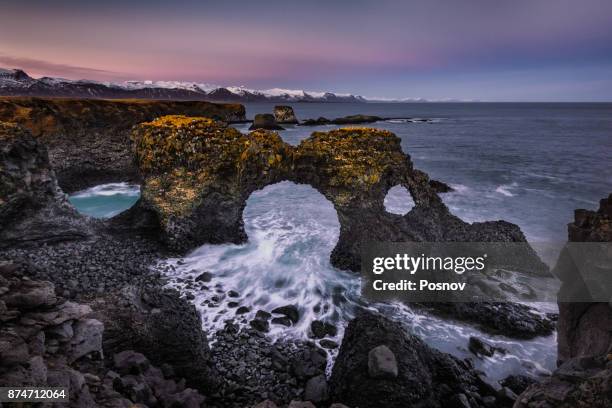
<point x="88" y="140"/>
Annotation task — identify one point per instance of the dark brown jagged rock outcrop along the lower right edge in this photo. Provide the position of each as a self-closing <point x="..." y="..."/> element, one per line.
<point x="584" y="340"/>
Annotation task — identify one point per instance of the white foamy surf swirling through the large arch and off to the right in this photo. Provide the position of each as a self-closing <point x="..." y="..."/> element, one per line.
<point x="292" y="230"/>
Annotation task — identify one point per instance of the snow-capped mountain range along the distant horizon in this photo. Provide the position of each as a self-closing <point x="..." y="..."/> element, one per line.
<point x="15" y="82"/>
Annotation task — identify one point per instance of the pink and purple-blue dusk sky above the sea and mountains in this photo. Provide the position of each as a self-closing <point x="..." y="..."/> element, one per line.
<point x="489" y="50"/>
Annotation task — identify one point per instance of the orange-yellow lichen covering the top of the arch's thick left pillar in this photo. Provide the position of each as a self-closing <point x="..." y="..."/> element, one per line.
<point x="184" y="159"/>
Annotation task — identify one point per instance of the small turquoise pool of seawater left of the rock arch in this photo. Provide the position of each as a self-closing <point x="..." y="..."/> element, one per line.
<point x="105" y="200"/>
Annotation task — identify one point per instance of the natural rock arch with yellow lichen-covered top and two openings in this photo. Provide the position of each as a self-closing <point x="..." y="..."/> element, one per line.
<point x="198" y="174"/>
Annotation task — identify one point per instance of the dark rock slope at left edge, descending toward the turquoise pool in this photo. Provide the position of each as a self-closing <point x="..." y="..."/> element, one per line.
<point x="33" y="210"/>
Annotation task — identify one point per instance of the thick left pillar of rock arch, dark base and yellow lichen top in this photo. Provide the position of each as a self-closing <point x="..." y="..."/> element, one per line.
<point x="198" y="174"/>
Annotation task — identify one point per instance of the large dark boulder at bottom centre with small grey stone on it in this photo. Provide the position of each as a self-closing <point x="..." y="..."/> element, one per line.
<point x="420" y="377"/>
